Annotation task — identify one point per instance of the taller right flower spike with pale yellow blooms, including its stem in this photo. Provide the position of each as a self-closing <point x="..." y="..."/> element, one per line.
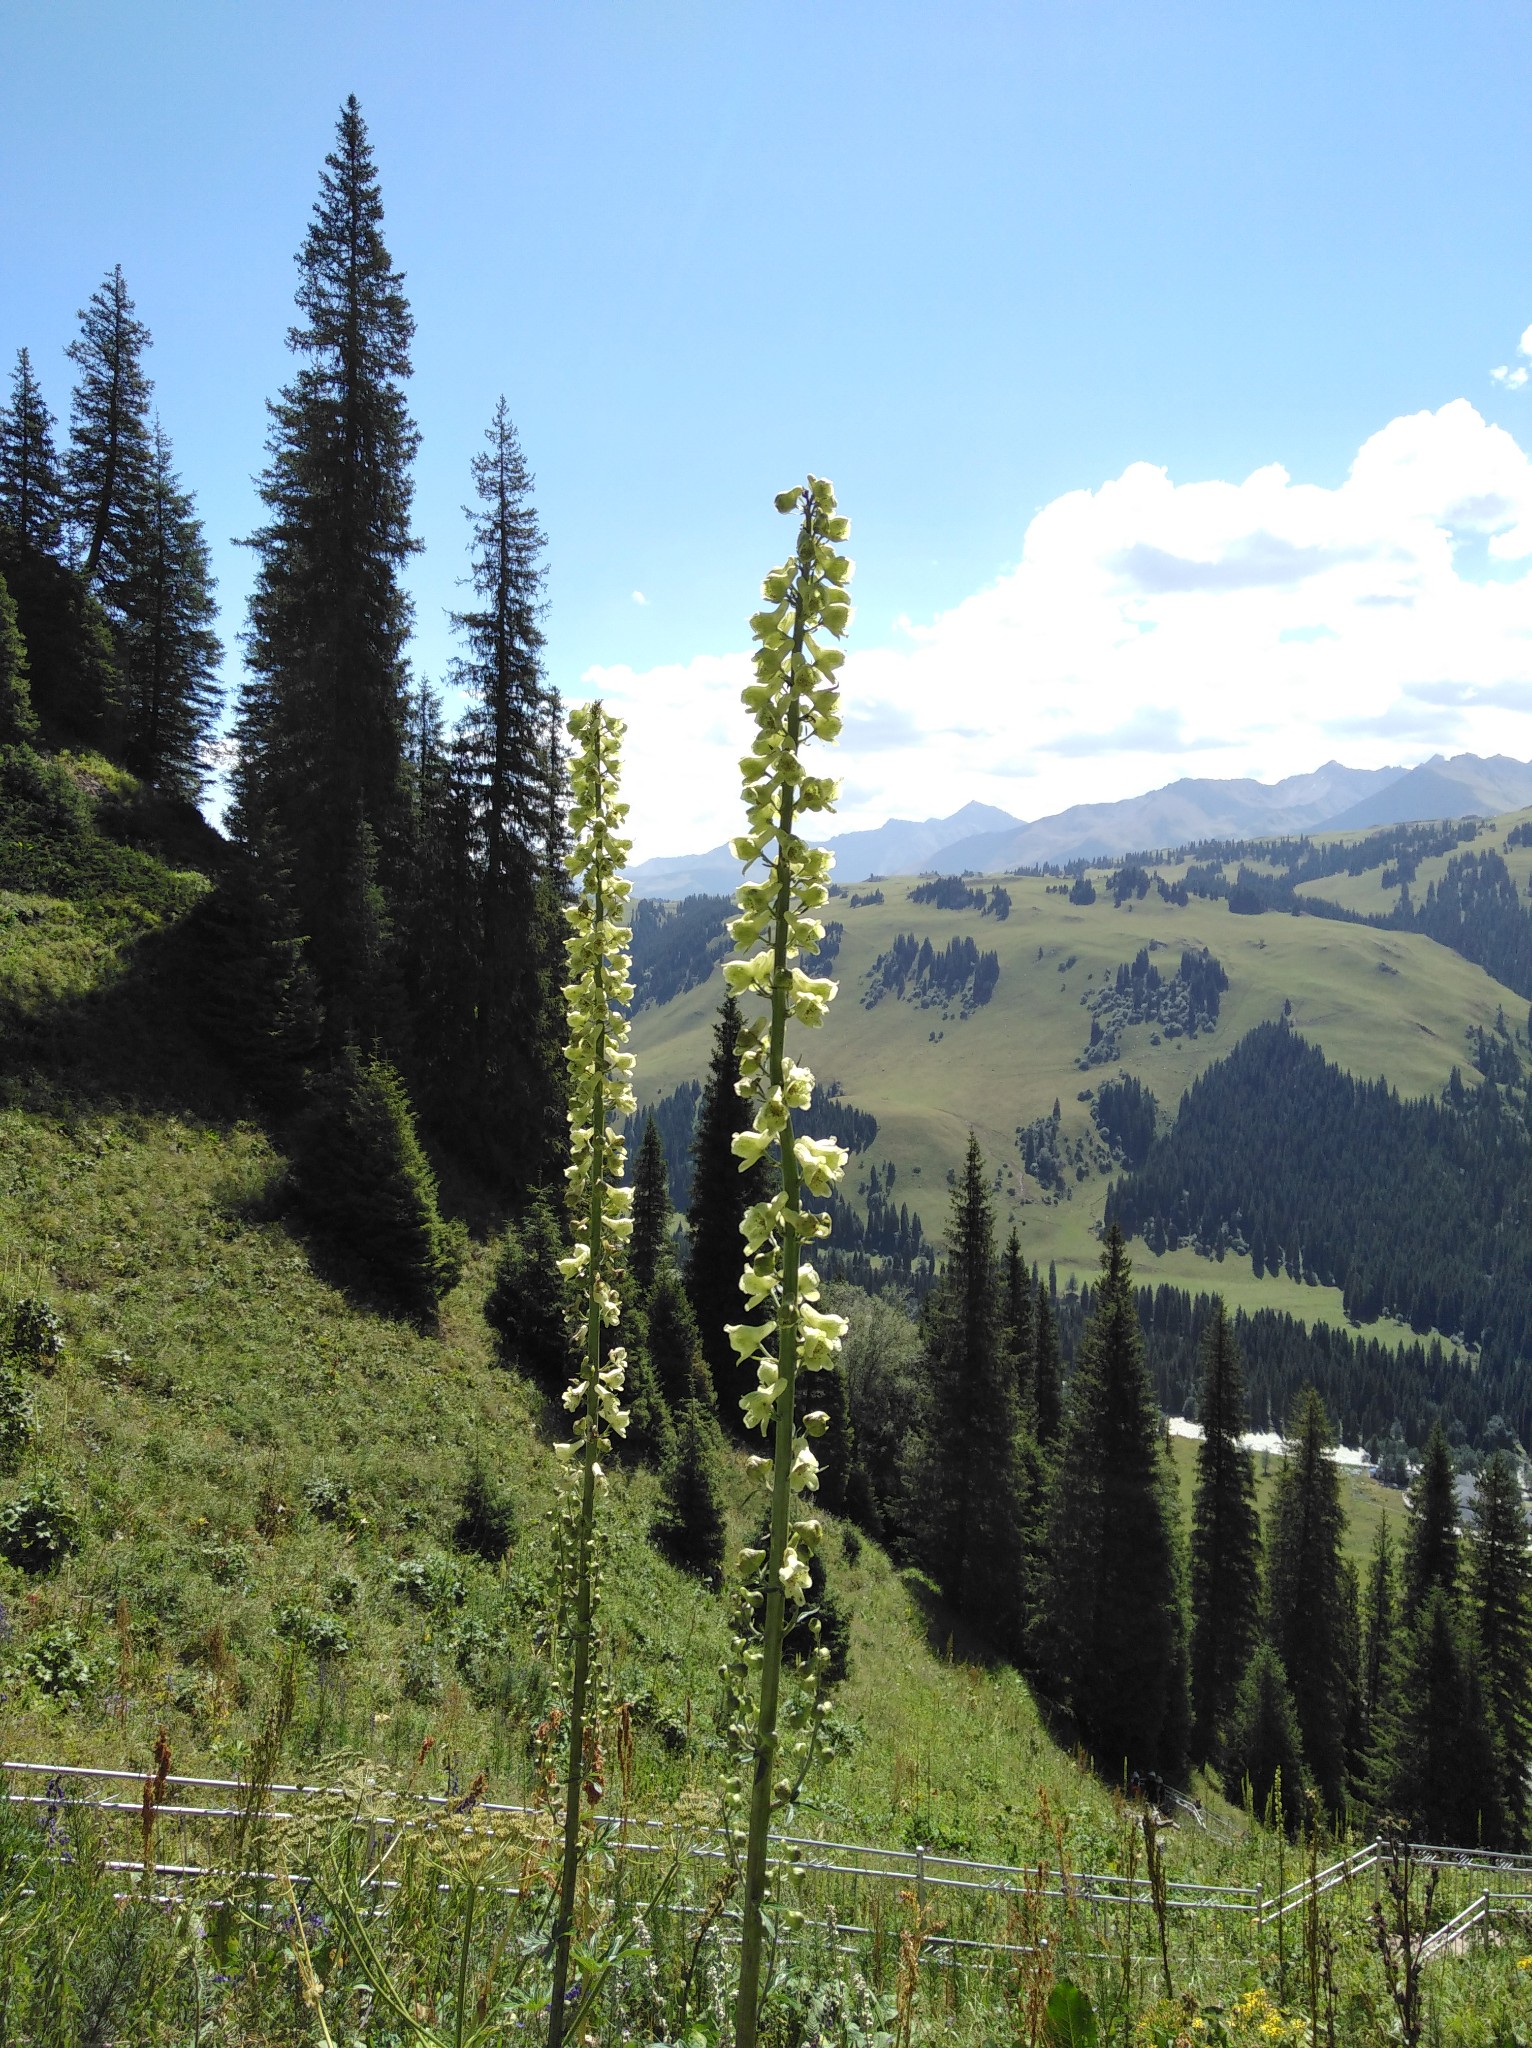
<point x="794" y="701"/>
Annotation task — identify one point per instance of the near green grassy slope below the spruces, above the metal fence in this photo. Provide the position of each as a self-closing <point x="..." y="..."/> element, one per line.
<point x="263" y="1469"/>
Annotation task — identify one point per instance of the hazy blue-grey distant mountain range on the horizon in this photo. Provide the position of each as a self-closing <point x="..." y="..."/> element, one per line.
<point x="1181" y="814"/>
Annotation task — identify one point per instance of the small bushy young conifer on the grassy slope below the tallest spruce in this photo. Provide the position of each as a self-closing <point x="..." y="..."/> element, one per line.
<point x="364" y="1181"/>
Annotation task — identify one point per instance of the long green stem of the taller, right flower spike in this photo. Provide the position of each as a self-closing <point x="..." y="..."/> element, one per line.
<point x="788" y="1361"/>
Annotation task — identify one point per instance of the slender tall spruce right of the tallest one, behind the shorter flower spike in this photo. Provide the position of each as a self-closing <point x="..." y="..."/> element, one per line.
<point x="509" y="1097"/>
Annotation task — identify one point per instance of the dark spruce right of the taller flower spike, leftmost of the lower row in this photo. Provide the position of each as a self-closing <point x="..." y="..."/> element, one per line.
<point x="968" y="1496"/>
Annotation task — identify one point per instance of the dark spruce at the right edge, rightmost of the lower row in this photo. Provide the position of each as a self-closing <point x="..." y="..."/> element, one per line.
<point x="1500" y="1603"/>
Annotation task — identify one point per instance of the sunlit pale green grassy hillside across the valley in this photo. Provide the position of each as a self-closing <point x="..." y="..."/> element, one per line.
<point x="1377" y="1005"/>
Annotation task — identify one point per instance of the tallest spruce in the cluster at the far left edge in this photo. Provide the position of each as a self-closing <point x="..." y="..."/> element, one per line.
<point x="110" y="435"/>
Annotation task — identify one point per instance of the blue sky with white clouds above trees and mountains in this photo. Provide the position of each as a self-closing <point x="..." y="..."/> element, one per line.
<point x="1046" y="290"/>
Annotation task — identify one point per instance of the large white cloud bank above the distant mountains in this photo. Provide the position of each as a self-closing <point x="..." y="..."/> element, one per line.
<point x="1154" y="630"/>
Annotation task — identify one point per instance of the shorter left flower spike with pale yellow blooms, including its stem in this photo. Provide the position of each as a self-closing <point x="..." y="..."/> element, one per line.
<point x="601" y="1097"/>
